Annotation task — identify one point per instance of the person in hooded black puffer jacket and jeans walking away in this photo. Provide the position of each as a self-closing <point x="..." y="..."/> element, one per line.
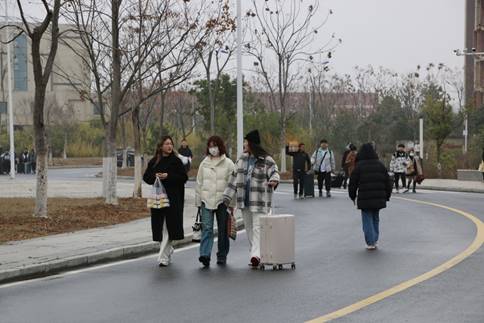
<point x="370" y="185"/>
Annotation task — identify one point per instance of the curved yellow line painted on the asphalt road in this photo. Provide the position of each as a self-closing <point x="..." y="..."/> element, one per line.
<point x="473" y="247"/>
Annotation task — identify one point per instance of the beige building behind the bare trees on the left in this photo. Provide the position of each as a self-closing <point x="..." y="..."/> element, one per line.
<point x="68" y="69"/>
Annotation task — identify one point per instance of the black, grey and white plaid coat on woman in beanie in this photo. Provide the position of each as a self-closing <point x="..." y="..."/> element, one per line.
<point x="260" y="195"/>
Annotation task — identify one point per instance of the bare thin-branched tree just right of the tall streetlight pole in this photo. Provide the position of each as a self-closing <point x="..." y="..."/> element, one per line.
<point x="284" y="32"/>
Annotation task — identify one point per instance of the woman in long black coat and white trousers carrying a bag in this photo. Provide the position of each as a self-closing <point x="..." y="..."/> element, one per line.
<point x="169" y="169"/>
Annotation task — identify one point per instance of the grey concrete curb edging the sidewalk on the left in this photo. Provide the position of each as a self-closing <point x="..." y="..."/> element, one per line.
<point x="87" y="260"/>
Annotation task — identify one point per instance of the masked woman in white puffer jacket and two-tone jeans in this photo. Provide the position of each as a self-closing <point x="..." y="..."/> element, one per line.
<point x="212" y="178"/>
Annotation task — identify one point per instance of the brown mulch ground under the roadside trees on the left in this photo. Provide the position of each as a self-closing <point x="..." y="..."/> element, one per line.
<point x="65" y="215"/>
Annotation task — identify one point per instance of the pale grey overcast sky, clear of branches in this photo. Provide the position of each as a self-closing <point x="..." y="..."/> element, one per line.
<point x="395" y="34"/>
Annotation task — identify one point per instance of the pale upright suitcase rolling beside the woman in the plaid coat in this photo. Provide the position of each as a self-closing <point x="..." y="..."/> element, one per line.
<point x="277" y="241"/>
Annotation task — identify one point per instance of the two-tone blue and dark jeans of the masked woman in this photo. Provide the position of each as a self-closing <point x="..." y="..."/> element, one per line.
<point x="206" y="242"/>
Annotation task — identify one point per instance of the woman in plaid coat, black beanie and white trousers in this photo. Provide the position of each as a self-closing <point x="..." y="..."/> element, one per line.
<point x="252" y="184"/>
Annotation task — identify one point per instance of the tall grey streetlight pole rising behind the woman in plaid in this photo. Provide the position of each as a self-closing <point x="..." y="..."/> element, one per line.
<point x="240" y="108"/>
